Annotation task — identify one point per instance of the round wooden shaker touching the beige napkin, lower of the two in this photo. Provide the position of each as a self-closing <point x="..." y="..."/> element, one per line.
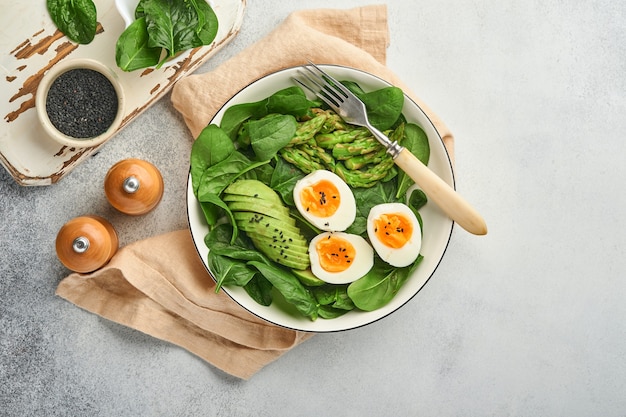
<point x="86" y="243"/>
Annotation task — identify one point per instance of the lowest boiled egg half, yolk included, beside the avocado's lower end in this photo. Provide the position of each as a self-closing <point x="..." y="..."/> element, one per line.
<point x="340" y="258"/>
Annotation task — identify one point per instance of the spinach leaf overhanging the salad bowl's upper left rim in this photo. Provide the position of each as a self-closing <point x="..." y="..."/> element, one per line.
<point x="211" y="147"/>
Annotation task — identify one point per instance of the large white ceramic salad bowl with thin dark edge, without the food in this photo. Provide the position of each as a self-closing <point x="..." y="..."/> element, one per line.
<point x="437" y="226"/>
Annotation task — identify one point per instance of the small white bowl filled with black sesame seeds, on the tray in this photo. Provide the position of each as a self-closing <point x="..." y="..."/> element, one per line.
<point x="80" y="103"/>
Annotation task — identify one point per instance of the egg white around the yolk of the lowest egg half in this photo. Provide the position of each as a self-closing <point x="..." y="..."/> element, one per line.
<point x="361" y="264"/>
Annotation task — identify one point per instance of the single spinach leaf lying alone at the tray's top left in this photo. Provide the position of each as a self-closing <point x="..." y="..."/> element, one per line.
<point x="77" y="19"/>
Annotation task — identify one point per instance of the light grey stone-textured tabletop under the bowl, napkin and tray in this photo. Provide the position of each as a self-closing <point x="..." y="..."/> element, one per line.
<point x="526" y="321"/>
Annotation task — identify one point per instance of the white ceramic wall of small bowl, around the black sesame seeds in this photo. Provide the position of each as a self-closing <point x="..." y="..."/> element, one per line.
<point x="42" y="97"/>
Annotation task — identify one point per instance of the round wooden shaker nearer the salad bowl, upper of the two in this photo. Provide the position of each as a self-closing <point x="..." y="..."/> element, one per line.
<point x="133" y="186"/>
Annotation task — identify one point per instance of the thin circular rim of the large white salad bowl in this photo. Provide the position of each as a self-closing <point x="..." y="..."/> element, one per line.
<point x="448" y="162"/>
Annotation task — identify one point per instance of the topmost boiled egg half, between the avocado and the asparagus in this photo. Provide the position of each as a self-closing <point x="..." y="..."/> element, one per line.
<point x="325" y="200"/>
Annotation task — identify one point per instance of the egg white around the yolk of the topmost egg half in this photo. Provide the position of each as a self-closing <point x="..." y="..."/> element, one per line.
<point x="346" y="212"/>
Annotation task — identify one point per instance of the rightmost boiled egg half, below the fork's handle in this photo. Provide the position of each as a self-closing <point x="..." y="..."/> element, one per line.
<point x="395" y="233"/>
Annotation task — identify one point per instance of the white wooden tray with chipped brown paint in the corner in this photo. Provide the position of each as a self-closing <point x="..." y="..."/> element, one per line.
<point x="30" y="45"/>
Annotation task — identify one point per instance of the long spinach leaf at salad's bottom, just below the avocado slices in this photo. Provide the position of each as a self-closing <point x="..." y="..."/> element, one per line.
<point x="290" y="287"/>
